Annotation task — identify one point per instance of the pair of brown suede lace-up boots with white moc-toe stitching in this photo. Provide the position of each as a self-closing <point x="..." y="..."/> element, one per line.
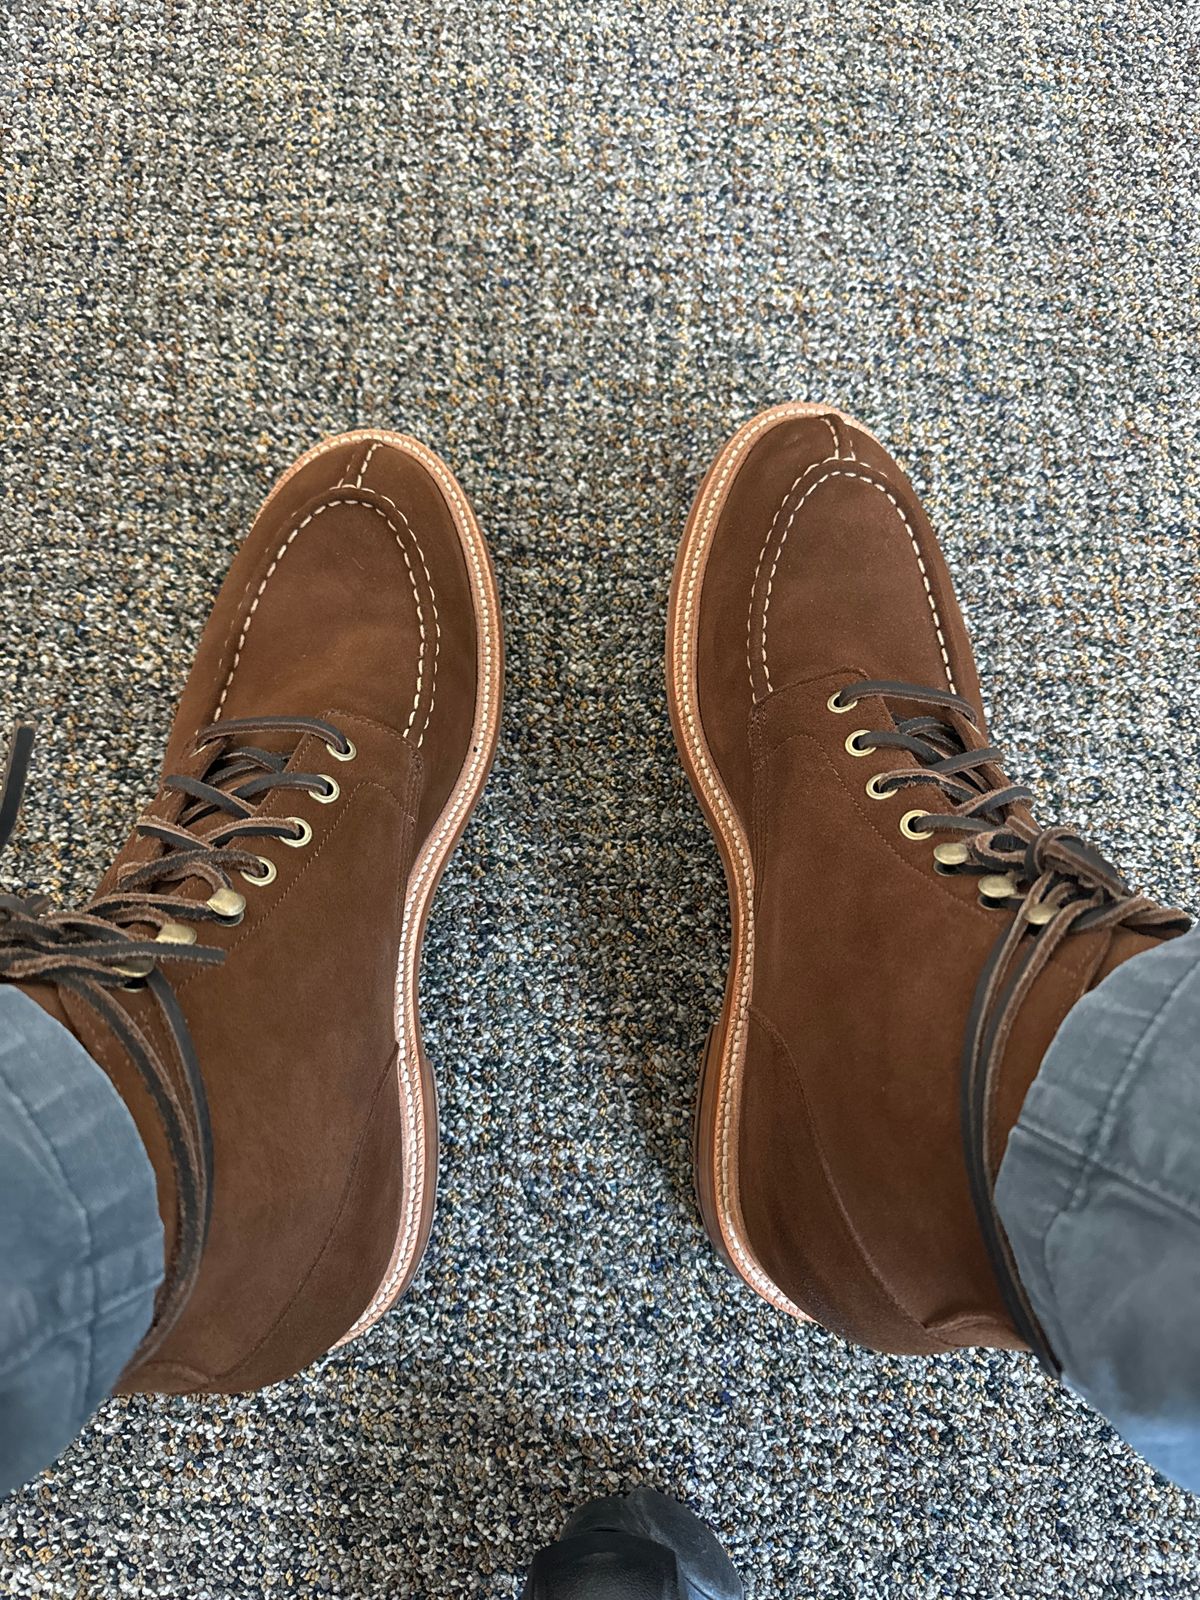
<point x="906" y="940"/>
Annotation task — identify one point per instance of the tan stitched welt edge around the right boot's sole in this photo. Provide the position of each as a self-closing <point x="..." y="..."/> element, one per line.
<point x="716" y="1137"/>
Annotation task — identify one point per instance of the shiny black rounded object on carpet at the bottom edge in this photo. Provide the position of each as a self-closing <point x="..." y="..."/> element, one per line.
<point x="639" y="1546"/>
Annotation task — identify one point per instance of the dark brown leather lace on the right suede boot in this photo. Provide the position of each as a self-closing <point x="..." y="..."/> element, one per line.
<point x="1052" y="882"/>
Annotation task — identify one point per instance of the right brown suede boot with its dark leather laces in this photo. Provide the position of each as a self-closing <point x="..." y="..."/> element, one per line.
<point x="906" y="940"/>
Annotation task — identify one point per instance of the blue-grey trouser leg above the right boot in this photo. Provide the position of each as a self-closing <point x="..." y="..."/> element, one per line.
<point x="1100" y="1194"/>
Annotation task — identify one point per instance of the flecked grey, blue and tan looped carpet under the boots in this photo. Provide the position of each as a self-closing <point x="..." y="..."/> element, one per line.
<point x="574" y="247"/>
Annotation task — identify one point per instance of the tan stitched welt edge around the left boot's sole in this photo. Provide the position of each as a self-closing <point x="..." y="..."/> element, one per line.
<point x="417" y="1086"/>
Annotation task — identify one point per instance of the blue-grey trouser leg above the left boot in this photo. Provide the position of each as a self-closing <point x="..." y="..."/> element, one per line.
<point x="81" y="1239"/>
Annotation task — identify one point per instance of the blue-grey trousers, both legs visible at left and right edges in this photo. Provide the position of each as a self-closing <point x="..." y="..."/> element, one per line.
<point x="1100" y="1194"/>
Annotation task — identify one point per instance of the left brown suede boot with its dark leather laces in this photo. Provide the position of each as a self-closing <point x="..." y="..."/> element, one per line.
<point x="249" y="970"/>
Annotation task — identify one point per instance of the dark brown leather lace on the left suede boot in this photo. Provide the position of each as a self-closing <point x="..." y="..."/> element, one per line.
<point x="97" y="953"/>
